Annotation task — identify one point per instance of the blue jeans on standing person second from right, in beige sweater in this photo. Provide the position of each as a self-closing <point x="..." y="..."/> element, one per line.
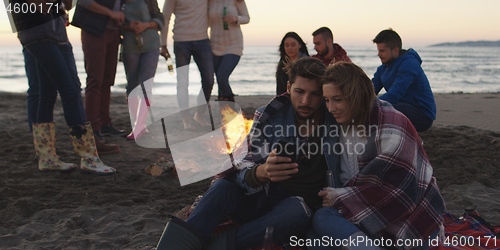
<point x="202" y="55"/>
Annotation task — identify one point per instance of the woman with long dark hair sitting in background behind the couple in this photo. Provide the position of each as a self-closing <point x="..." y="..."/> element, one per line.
<point x="291" y="48"/>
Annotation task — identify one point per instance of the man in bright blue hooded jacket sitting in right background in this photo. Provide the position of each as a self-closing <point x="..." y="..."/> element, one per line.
<point x="401" y="75"/>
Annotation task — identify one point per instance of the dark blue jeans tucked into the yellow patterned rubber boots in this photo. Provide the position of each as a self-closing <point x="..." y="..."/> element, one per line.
<point x="51" y="69"/>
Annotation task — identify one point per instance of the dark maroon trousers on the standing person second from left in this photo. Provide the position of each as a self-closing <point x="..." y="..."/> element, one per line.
<point x="101" y="58"/>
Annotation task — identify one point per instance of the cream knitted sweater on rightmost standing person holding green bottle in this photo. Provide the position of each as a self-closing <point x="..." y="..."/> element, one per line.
<point x="230" y="41"/>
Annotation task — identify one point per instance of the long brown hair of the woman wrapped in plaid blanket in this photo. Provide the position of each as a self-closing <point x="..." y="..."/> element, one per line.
<point x="356" y="88"/>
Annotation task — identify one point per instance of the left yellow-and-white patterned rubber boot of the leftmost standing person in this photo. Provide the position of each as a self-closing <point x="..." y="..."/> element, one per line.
<point x="44" y="139"/>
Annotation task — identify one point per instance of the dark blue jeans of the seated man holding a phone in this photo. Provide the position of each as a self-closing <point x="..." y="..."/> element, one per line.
<point x="286" y="214"/>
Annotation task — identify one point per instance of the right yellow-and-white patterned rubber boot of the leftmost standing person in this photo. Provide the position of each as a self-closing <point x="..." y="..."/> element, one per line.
<point x="84" y="143"/>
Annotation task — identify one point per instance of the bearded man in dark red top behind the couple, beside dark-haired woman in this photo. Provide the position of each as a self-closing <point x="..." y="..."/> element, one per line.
<point x="328" y="52"/>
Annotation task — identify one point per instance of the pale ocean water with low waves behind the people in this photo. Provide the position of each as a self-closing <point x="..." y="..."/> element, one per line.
<point x="449" y="69"/>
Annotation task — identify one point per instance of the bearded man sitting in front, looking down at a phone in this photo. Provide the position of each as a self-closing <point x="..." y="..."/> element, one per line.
<point x="263" y="189"/>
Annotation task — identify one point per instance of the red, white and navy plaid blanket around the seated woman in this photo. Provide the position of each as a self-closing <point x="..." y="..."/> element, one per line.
<point x="394" y="195"/>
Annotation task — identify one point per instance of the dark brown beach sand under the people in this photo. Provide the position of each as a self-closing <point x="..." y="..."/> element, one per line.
<point x="129" y="210"/>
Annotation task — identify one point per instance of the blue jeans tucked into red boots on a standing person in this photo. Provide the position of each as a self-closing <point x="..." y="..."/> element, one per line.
<point x="140" y="68"/>
